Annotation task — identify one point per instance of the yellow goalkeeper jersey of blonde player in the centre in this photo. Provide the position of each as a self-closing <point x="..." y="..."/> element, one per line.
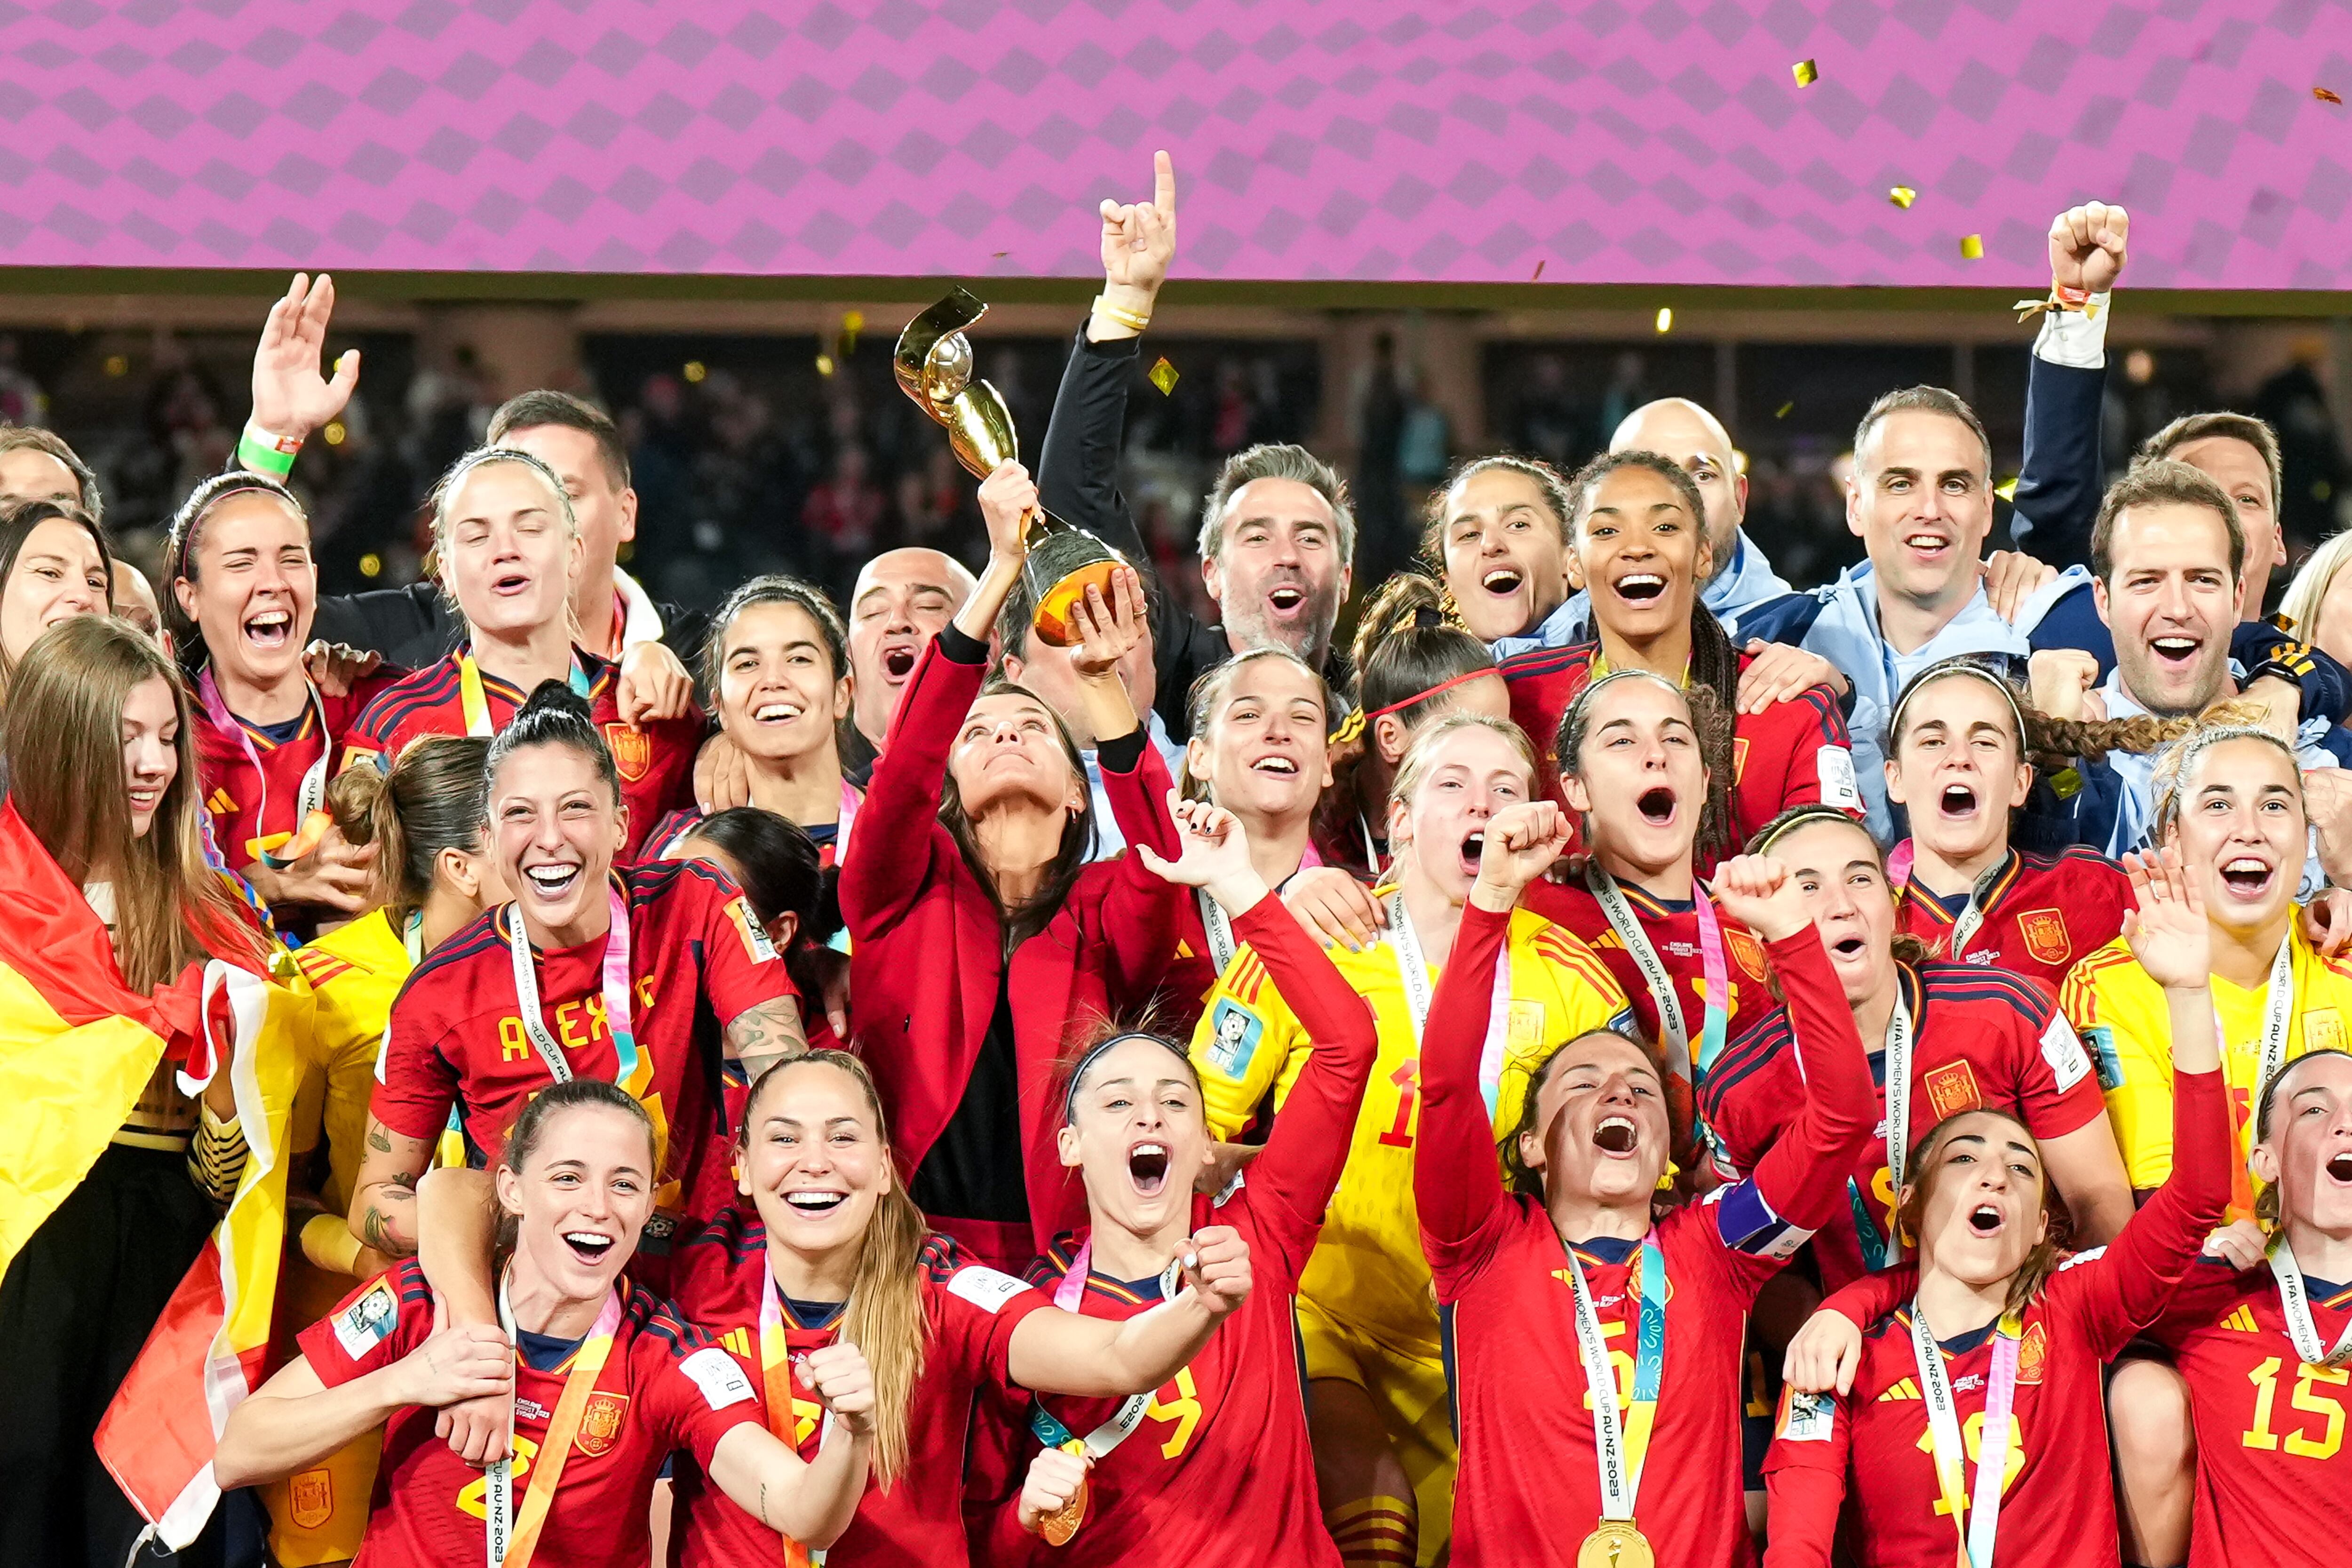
<point x="1368" y="1266"/>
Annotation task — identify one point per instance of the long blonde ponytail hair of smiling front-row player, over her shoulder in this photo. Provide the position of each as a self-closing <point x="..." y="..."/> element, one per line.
<point x="883" y="1315"/>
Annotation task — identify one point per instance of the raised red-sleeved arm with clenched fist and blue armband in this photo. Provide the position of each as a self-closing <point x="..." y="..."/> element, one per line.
<point x="1803" y="1177"/>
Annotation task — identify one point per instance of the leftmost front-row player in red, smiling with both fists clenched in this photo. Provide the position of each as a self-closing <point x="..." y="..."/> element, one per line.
<point x="601" y="1379"/>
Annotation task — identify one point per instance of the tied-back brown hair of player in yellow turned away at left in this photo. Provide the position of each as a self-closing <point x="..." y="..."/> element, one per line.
<point x="436" y="798"/>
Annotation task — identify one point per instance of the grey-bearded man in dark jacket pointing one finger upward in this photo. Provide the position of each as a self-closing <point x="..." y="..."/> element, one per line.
<point x="1276" y="530"/>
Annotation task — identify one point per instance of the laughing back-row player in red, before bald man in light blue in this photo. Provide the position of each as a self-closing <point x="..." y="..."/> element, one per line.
<point x="1638" y="544"/>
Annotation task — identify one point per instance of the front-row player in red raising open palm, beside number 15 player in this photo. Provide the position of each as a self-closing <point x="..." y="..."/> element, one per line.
<point x="1972" y="1416"/>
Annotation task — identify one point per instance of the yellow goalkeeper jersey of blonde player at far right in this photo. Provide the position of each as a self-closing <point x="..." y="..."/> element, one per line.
<point x="2120" y="1014"/>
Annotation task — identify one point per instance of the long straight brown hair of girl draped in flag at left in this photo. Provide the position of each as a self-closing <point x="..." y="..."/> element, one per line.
<point x="67" y="782"/>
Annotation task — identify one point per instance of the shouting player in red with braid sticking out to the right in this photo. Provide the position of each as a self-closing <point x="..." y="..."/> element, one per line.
<point x="1958" y="763"/>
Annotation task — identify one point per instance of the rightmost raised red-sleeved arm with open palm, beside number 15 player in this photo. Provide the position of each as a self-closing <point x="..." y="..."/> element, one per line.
<point x="2144" y="1264"/>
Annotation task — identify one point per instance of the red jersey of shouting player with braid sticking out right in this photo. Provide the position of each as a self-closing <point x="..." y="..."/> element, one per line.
<point x="2043" y="916"/>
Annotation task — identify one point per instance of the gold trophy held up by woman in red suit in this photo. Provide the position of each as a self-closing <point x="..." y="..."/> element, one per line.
<point x="935" y="370"/>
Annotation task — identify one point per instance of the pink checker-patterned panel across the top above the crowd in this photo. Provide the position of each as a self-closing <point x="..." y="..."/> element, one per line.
<point x="1452" y="142"/>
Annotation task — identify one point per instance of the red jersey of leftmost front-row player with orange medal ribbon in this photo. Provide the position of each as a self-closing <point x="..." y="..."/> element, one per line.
<point x="664" y="1388"/>
